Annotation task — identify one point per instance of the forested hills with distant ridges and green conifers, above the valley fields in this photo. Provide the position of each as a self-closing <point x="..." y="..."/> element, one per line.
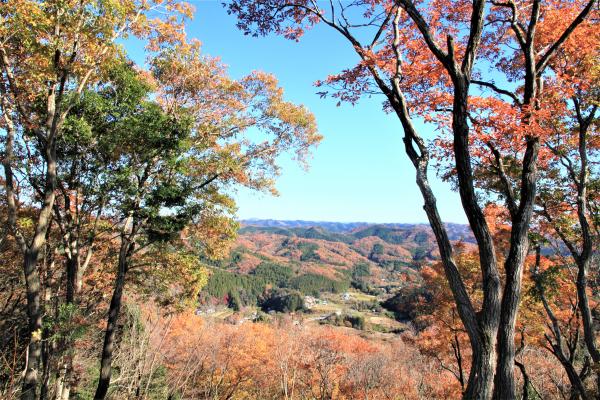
<point x="309" y="258"/>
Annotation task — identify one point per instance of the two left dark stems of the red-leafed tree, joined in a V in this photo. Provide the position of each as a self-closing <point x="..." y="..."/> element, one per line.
<point x="481" y="332"/>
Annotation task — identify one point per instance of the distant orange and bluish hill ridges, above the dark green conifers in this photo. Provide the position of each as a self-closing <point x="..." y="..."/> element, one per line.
<point x="393" y="253"/>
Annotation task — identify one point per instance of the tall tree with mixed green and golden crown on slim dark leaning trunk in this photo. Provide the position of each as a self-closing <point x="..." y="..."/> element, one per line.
<point x="162" y="168"/>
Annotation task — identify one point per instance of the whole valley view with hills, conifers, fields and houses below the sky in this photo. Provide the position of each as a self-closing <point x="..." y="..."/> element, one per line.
<point x="342" y="274"/>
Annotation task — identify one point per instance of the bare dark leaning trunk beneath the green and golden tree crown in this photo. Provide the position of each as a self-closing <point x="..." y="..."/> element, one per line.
<point x="113" y="316"/>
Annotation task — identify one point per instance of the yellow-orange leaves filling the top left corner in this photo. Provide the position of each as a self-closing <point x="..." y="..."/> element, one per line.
<point x="48" y="38"/>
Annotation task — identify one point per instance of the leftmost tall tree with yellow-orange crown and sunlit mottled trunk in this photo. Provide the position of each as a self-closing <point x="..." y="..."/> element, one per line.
<point x="49" y="52"/>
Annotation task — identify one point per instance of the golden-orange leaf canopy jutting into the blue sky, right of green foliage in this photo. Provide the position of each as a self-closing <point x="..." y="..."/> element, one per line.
<point x="243" y="124"/>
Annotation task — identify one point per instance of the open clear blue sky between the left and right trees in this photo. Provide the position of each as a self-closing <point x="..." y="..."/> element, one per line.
<point x="360" y="171"/>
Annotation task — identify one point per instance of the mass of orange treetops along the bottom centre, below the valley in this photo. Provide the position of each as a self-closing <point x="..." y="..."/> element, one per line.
<point x="208" y="358"/>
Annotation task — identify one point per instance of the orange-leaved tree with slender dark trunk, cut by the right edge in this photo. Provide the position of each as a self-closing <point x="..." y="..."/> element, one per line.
<point x="568" y="202"/>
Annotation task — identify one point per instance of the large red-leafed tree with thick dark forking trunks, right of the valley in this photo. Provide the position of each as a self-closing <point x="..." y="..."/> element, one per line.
<point x="422" y="57"/>
